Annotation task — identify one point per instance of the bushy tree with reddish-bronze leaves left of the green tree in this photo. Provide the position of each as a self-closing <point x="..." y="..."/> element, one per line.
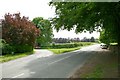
<point x="18" y="30"/>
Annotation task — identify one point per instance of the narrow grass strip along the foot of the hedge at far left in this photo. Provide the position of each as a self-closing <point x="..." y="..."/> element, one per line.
<point x="8" y="57"/>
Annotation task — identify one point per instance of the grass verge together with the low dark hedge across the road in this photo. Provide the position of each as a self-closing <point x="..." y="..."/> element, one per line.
<point x="67" y="47"/>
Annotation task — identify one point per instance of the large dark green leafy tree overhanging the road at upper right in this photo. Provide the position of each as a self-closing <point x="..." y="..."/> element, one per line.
<point x="88" y="16"/>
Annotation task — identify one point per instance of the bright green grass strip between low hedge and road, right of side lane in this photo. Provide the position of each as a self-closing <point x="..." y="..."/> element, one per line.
<point x="63" y="50"/>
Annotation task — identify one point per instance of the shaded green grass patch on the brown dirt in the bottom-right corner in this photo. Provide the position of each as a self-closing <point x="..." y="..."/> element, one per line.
<point x="102" y="71"/>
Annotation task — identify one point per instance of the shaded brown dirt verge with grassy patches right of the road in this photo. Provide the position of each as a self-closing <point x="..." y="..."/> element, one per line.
<point x="103" y="64"/>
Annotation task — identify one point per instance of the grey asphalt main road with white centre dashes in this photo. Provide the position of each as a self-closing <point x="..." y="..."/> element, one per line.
<point x="53" y="66"/>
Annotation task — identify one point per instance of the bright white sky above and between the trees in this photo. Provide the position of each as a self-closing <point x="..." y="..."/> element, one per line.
<point x="38" y="8"/>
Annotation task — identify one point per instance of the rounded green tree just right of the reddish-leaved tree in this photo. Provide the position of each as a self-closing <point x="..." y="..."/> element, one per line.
<point x="46" y="31"/>
